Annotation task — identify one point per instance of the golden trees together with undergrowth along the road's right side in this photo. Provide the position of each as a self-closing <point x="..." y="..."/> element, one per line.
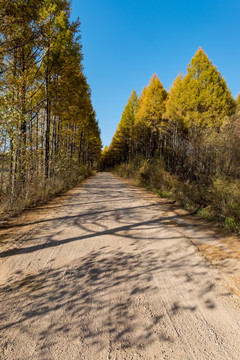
<point x="184" y="144"/>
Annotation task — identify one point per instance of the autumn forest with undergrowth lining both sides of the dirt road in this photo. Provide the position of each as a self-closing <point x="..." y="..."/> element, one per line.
<point x="183" y="143"/>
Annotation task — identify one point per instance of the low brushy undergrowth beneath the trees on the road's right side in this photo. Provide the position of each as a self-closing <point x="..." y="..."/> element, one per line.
<point x="218" y="200"/>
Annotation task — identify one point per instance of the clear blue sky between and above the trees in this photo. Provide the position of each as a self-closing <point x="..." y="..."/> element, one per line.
<point x="126" y="41"/>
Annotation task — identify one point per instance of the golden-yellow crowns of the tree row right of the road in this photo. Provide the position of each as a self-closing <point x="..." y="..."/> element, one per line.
<point x="200" y="99"/>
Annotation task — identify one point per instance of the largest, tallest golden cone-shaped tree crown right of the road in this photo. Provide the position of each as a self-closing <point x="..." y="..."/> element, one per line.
<point x="201" y="98"/>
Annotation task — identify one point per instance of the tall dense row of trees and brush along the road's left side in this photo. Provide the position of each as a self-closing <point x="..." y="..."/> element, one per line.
<point x="49" y="136"/>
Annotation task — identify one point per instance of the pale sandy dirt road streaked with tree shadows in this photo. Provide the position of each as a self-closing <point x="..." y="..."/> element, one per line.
<point x="105" y="274"/>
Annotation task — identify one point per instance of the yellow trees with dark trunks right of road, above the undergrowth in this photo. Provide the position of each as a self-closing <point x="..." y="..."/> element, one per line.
<point x="186" y="128"/>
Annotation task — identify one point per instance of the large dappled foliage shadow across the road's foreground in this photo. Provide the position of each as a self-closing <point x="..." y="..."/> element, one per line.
<point x="107" y="299"/>
